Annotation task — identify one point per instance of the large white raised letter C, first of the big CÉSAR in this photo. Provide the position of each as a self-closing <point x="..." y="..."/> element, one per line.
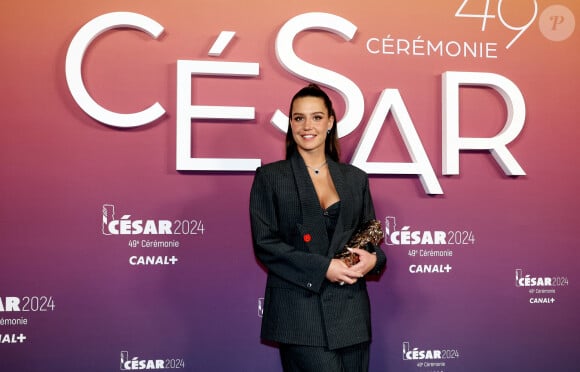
<point x="74" y="61"/>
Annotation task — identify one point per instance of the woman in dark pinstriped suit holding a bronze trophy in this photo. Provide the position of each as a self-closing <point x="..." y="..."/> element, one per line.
<point x="303" y="210"/>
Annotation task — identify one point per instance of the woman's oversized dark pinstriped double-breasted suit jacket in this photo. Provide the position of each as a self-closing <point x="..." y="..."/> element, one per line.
<point x="300" y="305"/>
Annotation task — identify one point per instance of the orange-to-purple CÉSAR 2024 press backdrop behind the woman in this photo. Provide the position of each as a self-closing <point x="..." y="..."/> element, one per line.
<point x="125" y="238"/>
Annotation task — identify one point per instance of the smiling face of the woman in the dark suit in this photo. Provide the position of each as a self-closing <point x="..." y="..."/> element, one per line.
<point x="310" y="122"/>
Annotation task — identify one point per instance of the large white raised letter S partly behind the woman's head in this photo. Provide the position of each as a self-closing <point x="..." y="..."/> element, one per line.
<point x="292" y="63"/>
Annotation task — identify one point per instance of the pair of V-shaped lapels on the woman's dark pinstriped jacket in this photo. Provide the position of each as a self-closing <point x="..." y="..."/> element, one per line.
<point x="312" y="213"/>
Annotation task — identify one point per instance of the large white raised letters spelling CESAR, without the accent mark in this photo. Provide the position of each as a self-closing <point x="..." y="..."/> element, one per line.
<point x="389" y="101"/>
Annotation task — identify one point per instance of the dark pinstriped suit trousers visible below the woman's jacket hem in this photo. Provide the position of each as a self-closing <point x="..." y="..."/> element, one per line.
<point x="298" y="358"/>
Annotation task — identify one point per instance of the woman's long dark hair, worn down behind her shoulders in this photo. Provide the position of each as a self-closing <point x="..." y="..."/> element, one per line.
<point x="331" y="146"/>
